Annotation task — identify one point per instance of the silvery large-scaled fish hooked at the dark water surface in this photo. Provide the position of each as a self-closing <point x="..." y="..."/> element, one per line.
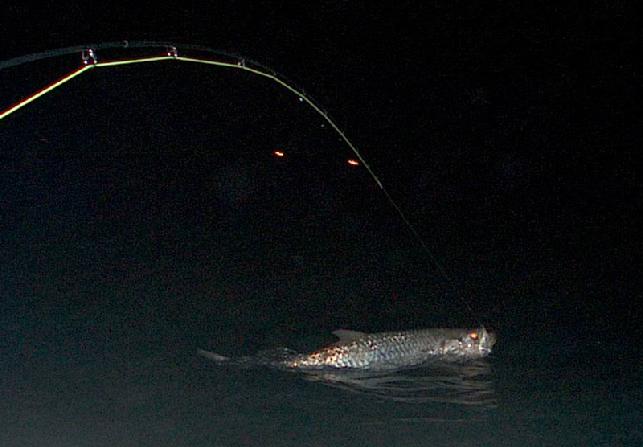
<point x="378" y="351"/>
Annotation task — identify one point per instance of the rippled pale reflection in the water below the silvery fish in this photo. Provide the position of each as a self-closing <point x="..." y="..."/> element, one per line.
<point x="455" y="383"/>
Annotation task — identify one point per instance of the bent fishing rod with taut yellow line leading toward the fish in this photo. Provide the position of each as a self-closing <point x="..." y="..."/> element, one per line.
<point x="89" y="59"/>
